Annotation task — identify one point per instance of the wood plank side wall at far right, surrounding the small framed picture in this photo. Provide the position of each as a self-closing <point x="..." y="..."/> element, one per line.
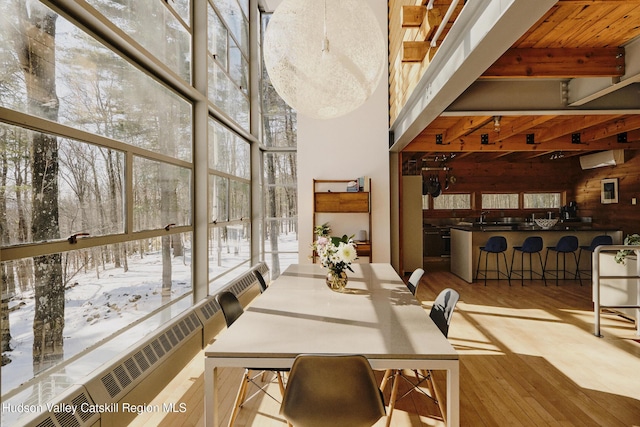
<point x="622" y="214"/>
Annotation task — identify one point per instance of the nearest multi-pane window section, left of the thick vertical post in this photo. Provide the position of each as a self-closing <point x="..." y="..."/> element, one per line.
<point x="96" y="186"/>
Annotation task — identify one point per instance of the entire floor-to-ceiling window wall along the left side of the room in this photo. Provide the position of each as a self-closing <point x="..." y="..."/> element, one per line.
<point x="97" y="174"/>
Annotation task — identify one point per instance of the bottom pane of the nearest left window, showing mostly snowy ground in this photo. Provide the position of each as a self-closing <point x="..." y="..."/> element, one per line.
<point x="106" y="288"/>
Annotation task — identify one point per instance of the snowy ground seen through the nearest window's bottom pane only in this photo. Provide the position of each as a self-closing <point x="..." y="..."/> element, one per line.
<point x="95" y="308"/>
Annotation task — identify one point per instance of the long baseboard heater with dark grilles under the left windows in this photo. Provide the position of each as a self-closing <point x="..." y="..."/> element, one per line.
<point x="135" y="378"/>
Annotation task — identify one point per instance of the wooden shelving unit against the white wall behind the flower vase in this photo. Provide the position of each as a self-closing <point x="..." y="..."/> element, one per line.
<point x="343" y="202"/>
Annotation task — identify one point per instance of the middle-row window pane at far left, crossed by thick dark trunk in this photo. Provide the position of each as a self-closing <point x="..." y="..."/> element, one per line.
<point x="88" y="197"/>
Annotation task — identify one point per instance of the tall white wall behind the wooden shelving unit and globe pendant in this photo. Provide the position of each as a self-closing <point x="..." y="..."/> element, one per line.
<point x="347" y="147"/>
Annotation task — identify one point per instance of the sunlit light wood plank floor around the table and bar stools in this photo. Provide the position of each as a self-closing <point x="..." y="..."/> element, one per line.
<point x="528" y="357"/>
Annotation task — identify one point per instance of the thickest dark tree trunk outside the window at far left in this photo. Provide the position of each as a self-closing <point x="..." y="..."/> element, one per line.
<point x="36" y="51"/>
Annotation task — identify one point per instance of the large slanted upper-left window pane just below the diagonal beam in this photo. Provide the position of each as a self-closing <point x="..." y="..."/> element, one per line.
<point x="81" y="83"/>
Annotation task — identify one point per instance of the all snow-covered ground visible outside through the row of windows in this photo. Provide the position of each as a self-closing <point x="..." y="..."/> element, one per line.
<point x="97" y="309"/>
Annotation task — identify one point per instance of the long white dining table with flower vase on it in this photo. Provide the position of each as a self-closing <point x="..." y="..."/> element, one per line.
<point x="376" y="316"/>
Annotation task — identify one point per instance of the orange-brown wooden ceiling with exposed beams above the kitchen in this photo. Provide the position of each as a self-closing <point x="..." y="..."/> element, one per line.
<point x="576" y="39"/>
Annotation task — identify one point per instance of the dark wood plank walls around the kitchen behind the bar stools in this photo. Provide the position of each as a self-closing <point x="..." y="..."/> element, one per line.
<point x="542" y="175"/>
